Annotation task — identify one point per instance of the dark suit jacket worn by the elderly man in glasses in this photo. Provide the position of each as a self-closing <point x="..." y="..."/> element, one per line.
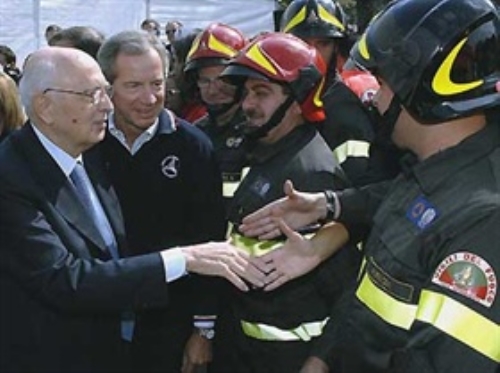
<point x="61" y="295"/>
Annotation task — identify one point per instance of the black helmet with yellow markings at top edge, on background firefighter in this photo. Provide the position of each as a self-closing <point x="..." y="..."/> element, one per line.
<point x="314" y="19"/>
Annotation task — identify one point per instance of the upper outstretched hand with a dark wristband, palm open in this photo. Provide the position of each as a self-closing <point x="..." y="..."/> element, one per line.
<point x="297" y="209"/>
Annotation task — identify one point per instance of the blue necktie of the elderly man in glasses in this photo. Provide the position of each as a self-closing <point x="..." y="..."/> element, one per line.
<point x="89" y="199"/>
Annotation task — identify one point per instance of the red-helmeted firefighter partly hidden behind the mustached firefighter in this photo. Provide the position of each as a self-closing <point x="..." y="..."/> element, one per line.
<point x="209" y="54"/>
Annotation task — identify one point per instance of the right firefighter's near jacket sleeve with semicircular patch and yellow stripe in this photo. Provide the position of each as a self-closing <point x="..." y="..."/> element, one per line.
<point x="457" y="322"/>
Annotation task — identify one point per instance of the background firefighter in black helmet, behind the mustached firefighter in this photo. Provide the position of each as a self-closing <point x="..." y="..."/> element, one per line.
<point x="348" y="128"/>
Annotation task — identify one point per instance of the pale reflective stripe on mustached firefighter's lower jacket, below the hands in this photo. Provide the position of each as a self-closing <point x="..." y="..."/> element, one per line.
<point x="304" y="332"/>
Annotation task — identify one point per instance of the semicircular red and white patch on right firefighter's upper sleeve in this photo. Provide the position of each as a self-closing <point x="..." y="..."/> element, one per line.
<point x="469" y="275"/>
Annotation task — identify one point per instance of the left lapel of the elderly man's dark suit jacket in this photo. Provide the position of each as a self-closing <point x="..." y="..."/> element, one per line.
<point x="57" y="187"/>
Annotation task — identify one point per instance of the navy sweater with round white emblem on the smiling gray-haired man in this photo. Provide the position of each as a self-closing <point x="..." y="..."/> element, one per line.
<point x="164" y="210"/>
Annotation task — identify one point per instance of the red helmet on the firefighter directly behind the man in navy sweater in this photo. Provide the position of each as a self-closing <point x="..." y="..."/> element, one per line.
<point x="216" y="45"/>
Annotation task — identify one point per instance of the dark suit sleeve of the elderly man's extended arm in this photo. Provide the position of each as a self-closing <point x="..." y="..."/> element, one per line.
<point x="51" y="260"/>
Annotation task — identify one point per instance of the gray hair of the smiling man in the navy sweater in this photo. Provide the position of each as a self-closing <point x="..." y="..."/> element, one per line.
<point x="129" y="43"/>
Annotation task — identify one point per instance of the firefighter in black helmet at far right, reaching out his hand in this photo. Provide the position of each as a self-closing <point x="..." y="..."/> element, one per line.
<point x="427" y="298"/>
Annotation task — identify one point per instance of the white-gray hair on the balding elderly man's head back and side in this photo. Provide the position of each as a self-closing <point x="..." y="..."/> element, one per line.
<point x="38" y="75"/>
